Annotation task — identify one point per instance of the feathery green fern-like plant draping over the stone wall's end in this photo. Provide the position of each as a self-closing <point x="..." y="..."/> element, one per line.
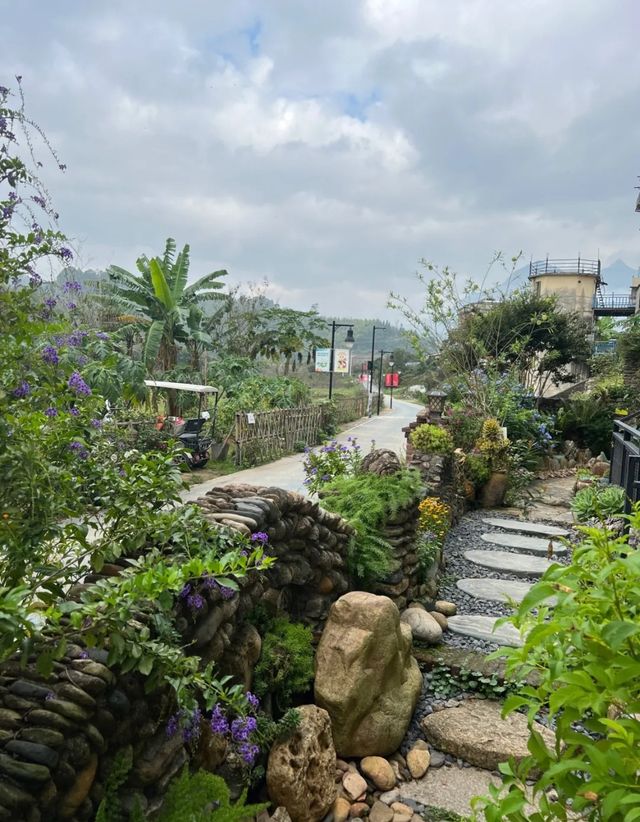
<point x="366" y="501"/>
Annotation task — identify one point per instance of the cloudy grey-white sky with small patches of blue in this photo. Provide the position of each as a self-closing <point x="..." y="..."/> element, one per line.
<point x="327" y="146"/>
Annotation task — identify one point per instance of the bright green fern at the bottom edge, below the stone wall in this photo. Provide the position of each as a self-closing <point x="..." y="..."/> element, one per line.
<point x="204" y="797"/>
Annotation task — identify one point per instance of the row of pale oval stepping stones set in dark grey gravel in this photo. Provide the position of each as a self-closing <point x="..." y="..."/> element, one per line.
<point x="519" y="562"/>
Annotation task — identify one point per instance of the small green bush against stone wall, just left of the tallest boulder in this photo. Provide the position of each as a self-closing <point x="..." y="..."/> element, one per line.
<point x="285" y="667"/>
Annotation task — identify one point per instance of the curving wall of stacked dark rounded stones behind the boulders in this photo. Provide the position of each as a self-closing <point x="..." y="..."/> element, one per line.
<point x="59" y="735"/>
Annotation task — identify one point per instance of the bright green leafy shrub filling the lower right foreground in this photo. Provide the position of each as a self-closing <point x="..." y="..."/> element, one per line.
<point x="585" y="653"/>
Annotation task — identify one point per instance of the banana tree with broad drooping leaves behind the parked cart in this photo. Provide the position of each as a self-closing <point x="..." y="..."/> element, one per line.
<point x="159" y="295"/>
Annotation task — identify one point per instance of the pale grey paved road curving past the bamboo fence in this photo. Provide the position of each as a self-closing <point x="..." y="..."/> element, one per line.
<point x="287" y="472"/>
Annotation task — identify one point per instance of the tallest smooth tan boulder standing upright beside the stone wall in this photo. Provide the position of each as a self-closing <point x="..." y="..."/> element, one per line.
<point x="366" y="678"/>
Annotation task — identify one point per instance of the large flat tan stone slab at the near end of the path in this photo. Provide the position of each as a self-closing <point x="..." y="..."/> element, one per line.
<point x="476" y="732"/>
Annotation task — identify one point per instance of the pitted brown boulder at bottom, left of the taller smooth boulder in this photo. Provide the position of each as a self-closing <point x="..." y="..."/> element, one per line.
<point x="301" y="769"/>
